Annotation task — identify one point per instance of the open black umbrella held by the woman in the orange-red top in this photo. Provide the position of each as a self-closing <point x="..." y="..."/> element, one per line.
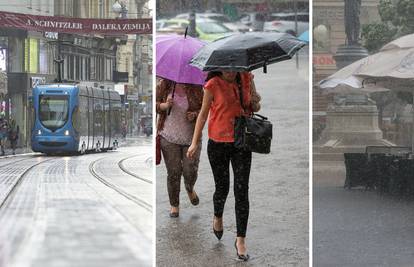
<point x="246" y="51"/>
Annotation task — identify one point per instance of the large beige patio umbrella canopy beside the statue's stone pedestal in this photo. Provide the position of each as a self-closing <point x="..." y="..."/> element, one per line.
<point x="392" y="68"/>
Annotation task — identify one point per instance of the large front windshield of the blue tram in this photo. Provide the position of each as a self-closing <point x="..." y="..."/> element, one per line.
<point x="53" y="111"/>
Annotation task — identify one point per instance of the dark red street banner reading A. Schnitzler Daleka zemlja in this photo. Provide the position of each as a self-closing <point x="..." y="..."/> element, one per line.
<point x="75" y="25"/>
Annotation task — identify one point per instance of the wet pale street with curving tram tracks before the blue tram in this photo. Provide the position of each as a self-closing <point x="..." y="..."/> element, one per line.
<point x="90" y="210"/>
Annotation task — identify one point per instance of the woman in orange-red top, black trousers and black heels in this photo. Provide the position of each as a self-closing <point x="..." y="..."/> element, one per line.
<point x="221" y="104"/>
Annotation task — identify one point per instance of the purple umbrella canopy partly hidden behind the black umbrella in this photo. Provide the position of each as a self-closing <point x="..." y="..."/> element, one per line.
<point x="173" y="55"/>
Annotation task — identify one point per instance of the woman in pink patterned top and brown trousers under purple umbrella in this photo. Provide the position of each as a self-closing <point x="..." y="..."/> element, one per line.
<point x="178" y="106"/>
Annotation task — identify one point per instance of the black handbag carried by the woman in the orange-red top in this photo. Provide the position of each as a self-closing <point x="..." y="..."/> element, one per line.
<point x="252" y="133"/>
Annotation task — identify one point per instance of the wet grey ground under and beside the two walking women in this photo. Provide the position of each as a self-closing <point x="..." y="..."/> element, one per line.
<point x="277" y="233"/>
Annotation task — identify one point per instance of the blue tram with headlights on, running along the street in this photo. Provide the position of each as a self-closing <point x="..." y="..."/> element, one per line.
<point x="75" y="118"/>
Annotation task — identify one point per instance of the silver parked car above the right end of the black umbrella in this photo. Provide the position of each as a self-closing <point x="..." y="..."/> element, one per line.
<point x="285" y="22"/>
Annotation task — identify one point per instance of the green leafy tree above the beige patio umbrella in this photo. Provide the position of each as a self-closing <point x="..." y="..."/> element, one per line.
<point x="397" y="19"/>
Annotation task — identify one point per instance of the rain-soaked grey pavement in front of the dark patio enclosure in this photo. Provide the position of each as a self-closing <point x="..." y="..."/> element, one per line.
<point x="357" y="227"/>
